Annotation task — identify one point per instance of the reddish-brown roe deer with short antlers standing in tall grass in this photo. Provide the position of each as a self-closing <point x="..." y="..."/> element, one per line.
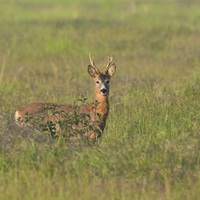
<point x="94" y="114"/>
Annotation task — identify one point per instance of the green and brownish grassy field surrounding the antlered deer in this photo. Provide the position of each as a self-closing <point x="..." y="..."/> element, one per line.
<point x="150" y="148"/>
